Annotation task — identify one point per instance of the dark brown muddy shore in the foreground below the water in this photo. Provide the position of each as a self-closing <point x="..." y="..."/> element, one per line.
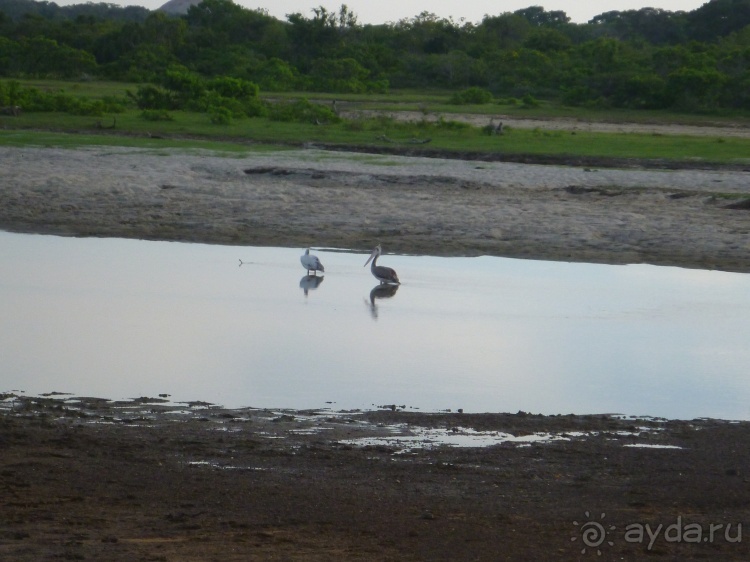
<point x="88" y="479"/>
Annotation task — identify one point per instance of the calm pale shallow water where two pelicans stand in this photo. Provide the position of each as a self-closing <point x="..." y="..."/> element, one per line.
<point x="123" y="318"/>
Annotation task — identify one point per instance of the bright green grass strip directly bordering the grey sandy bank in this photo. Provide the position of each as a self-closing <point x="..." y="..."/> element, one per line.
<point x="195" y="131"/>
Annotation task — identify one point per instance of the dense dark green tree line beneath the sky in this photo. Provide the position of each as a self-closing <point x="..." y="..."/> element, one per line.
<point x="644" y="59"/>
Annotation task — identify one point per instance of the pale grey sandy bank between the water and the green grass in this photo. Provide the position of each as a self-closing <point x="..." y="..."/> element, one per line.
<point x="300" y="198"/>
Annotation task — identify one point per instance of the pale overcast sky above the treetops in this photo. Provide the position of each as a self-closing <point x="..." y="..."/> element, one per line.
<point x="369" y="12"/>
